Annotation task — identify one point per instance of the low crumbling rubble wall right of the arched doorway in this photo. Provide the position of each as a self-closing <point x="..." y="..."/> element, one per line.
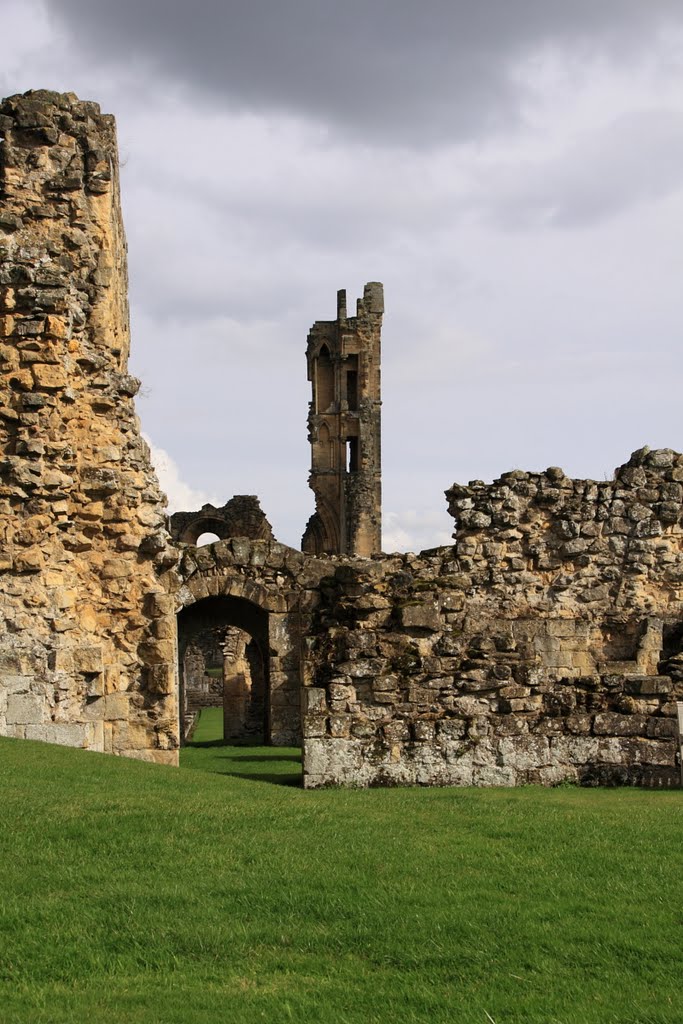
<point x="544" y="647"/>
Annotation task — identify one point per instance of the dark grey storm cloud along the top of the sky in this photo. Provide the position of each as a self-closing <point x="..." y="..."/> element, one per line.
<point x="385" y="70"/>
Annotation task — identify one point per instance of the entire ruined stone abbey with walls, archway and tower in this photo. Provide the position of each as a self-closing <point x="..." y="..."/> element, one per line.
<point x="545" y="646"/>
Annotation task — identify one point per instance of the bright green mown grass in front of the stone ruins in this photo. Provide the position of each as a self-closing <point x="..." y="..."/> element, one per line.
<point x="225" y="893"/>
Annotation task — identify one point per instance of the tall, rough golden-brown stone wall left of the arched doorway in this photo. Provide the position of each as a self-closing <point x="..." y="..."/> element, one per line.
<point x="88" y="647"/>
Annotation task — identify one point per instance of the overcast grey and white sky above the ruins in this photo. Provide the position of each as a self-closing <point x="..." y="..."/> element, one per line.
<point x="513" y="170"/>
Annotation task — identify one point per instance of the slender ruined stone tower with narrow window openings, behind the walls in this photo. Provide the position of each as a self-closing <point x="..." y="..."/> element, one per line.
<point x="344" y="361"/>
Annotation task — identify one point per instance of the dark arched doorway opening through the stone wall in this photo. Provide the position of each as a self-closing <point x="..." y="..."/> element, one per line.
<point x="225" y="660"/>
